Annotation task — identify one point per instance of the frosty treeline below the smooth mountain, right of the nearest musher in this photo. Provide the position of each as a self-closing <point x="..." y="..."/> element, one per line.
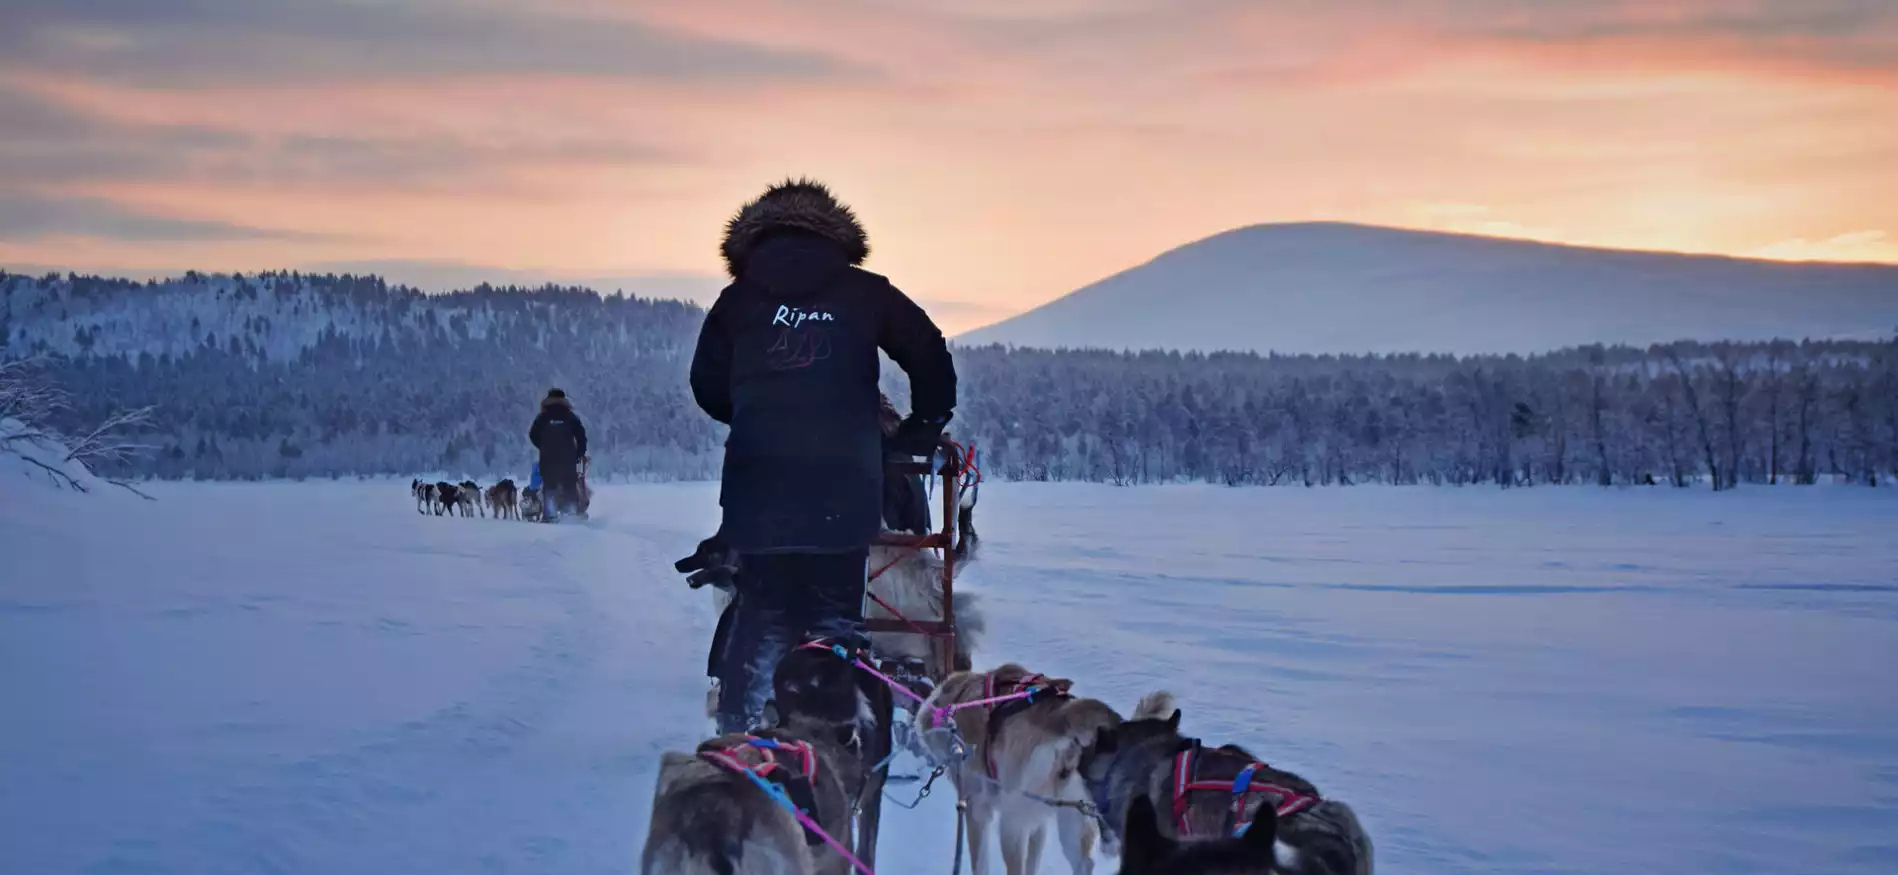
<point x="1719" y="415"/>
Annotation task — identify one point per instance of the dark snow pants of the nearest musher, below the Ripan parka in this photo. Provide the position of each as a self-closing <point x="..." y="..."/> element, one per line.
<point x="779" y="603"/>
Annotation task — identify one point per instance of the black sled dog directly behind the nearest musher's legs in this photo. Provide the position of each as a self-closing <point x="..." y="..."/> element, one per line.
<point x="821" y="694"/>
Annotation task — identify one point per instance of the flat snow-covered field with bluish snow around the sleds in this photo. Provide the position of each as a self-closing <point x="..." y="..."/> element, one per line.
<point x="312" y="679"/>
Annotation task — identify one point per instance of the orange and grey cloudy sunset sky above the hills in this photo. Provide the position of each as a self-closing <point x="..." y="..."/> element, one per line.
<point x="1001" y="153"/>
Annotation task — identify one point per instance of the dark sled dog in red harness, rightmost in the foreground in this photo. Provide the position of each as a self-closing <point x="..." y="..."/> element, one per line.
<point x="1147" y="756"/>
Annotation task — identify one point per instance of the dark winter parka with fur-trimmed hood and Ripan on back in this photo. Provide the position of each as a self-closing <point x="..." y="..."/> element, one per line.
<point x="789" y="360"/>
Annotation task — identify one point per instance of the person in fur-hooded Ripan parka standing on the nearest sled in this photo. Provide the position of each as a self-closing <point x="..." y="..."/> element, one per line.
<point x="789" y="360"/>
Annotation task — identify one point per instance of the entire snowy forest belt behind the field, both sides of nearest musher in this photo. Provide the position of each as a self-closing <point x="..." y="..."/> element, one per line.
<point x="288" y="375"/>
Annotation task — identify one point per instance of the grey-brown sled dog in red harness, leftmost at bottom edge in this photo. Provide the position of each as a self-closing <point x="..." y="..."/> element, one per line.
<point x="709" y="819"/>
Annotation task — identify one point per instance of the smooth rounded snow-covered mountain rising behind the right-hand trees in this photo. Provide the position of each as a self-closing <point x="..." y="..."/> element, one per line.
<point x="1331" y="288"/>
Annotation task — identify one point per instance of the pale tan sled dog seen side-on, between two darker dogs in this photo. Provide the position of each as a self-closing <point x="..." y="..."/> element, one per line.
<point x="1028" y="747"/>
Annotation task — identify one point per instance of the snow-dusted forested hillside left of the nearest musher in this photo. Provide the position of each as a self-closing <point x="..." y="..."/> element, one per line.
<point x="286" y="375"/>
